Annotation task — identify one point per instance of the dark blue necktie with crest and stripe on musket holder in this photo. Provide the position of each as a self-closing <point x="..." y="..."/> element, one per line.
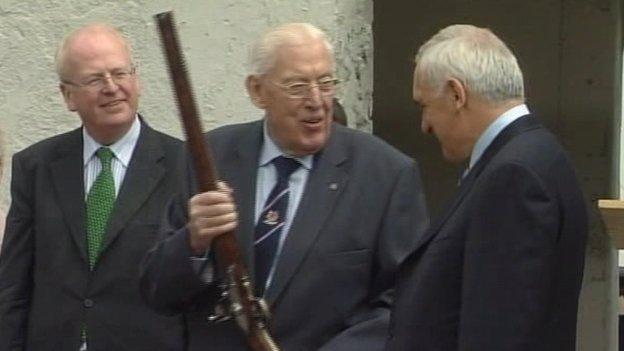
<point x="271" y="221"/>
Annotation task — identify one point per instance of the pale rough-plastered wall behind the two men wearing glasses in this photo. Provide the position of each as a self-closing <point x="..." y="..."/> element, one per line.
<point x="215" y="36"/>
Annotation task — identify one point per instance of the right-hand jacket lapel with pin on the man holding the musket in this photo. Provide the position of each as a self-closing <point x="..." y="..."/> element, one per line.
<point x="325" y="183"/>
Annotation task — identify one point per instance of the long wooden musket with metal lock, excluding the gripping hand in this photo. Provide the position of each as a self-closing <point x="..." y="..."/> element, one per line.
<point x="237" y="298"/>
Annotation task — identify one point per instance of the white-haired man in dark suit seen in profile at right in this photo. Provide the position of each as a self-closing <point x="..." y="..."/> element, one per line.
<point x="501" y="269"/>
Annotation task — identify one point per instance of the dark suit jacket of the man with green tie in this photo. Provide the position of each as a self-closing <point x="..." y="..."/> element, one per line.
<point x="47" y="292"/>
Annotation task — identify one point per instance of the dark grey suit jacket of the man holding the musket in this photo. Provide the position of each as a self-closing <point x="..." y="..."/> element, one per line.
<point x="361" y="212"/>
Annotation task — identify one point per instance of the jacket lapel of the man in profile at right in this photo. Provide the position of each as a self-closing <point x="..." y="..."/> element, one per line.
<point x="517" y="127"/>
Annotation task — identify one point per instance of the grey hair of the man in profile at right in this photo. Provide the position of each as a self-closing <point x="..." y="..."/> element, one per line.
<point x="474" y="56"/>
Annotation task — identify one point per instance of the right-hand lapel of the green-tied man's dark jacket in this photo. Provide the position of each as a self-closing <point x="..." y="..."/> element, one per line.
<point x="142" y="176"/>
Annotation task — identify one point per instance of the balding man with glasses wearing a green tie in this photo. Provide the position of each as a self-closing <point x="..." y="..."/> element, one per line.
<point x="84" y="208"/>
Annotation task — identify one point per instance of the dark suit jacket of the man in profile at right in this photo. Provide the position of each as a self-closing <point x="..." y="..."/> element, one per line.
<point x="502" y="268"/>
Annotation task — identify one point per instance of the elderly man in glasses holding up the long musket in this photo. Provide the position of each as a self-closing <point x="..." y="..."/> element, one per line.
<point x="326" y="262"/>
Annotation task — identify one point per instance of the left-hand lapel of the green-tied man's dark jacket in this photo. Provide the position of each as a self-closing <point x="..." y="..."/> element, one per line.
<point x="68" y="179"/>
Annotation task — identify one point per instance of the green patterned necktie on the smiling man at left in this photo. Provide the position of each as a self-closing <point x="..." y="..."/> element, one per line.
<point x="100" y="202"/>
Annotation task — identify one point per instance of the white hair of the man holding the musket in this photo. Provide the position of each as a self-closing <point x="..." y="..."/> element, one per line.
<point x="262" y="55"/>
